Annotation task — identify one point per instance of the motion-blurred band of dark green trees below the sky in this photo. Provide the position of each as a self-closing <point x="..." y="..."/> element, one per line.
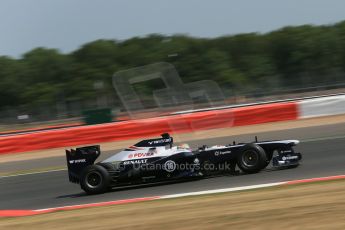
<point x="292" y="57"/>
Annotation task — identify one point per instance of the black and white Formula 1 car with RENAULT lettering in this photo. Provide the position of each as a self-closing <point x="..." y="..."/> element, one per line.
<point x="155" y="160"/>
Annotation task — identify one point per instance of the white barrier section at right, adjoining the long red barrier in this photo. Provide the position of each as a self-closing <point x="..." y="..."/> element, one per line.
<point x="332" y="105"/>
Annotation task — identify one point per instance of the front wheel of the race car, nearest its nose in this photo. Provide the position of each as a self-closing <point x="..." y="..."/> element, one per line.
<point x="252" y="158"/>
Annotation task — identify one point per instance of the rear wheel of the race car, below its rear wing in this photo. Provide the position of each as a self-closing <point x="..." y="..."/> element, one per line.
<point x="95" y="179"/>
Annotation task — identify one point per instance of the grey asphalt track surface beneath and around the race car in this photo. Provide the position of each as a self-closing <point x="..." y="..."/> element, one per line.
<point x="323" y="149"/>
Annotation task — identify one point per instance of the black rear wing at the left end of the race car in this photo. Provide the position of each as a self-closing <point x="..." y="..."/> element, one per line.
<point x="79" y="158"/>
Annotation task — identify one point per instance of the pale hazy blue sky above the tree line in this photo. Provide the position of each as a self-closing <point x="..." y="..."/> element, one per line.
<point x="67" y="24"/>
